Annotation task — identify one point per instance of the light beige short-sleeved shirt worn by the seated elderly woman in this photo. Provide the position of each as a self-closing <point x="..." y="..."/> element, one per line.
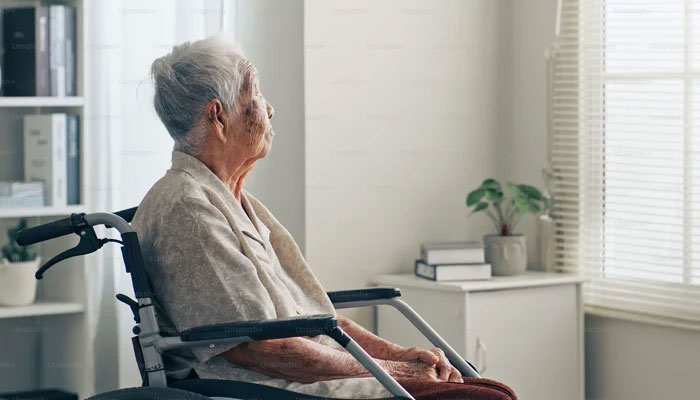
<point x="212" y="259"/>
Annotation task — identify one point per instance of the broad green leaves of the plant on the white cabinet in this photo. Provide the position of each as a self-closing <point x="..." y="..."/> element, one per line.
<point x="506" y="207"/>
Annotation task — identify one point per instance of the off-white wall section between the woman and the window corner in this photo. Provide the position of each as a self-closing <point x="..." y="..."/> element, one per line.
<point x="404" y="105"/>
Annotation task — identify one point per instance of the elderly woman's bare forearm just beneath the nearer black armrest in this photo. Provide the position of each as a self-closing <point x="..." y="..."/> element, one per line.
<point x="297" y="359"/>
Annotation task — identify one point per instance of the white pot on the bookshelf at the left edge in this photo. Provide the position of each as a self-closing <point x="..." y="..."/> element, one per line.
<point x="17" y="282"/>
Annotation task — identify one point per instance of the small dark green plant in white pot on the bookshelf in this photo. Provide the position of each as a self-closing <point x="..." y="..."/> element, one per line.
<point x="17" y="268"/>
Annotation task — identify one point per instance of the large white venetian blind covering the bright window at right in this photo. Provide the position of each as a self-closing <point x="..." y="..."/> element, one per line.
<point x="639" y="144"/>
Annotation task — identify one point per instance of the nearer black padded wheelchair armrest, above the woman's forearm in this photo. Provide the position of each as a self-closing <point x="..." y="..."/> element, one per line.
<point x="306" y="325"/>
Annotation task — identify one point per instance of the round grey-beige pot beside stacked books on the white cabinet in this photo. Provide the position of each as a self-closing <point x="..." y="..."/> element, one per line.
<point x="506" y="254"/>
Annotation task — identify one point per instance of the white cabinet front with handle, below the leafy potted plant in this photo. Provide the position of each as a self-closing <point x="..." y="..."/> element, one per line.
<point x="527" y="338"/>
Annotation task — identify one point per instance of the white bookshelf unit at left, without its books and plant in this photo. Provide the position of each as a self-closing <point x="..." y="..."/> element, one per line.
<point x="48" y="344"/>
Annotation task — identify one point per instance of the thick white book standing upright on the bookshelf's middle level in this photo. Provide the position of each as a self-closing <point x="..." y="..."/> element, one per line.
<point x="45" y="155"/>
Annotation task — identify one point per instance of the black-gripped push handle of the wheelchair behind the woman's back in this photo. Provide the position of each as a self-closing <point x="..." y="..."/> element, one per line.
<point x="66" y="226"/>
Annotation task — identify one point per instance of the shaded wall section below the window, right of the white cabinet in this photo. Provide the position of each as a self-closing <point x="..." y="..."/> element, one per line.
<point x="631" y="360"/>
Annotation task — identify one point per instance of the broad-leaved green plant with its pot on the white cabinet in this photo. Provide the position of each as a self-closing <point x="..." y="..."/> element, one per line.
<point x="506" y="250"/>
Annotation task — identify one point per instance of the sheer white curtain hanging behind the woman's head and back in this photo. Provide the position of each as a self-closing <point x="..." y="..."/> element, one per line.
<point x="129" y="146"/>
